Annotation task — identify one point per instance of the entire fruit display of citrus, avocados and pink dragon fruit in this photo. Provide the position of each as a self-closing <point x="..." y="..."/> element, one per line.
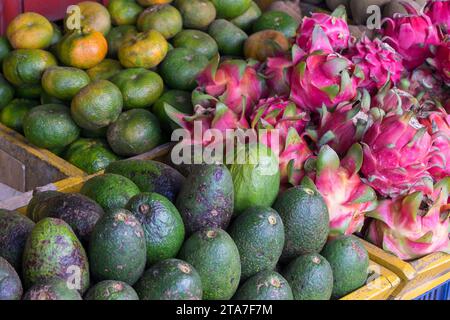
<point x="340" y="135"/>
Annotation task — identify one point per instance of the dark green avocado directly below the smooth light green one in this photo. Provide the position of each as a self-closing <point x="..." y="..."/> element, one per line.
<point x="259" y="235"/>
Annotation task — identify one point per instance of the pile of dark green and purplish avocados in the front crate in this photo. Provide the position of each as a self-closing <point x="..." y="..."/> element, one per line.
<point x="144" y="231"/>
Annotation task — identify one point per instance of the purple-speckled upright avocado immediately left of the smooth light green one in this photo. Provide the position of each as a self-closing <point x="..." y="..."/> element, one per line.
<point x="207" y="198"/>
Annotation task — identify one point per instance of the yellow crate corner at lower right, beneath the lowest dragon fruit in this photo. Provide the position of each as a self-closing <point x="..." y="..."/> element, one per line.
<point x="417" y="277"/>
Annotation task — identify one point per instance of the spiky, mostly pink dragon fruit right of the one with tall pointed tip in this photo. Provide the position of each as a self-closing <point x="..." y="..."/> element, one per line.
<point x="378" y="61"/>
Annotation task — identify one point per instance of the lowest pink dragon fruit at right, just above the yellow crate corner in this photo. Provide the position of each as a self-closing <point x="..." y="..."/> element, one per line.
<point x="413" y="226"/>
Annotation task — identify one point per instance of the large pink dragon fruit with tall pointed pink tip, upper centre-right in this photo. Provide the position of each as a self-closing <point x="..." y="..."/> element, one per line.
<point x="323" y="77"/>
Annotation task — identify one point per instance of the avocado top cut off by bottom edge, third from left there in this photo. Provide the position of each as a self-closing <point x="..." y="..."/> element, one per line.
<point x="111" y="290"/>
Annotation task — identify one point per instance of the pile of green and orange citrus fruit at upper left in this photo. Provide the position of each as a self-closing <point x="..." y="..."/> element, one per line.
<point x="95" y="92"/>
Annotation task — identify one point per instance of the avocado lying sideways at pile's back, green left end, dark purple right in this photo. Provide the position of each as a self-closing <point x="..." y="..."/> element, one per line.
<point x="150" y="176"/>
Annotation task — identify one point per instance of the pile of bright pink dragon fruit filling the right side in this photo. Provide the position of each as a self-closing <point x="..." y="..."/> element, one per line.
<point x="366" y="119"/>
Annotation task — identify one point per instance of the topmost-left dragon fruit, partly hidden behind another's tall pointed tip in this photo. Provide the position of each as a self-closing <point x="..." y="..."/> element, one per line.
<point x="334" y="25"/>
